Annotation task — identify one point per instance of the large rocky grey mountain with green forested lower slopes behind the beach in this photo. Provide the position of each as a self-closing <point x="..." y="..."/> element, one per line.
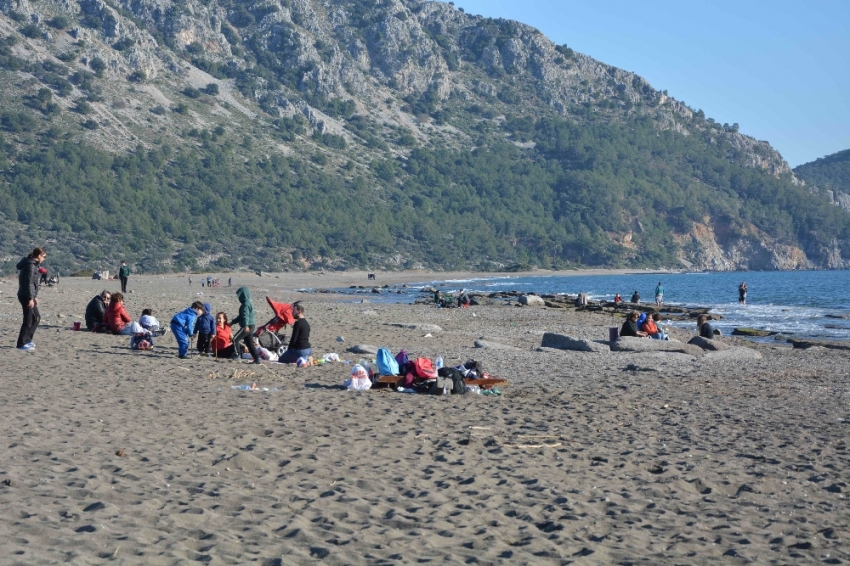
<point x="286" y="134"/>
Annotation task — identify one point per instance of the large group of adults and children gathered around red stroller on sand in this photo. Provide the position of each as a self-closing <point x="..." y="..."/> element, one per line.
<point x="106" y="313"/>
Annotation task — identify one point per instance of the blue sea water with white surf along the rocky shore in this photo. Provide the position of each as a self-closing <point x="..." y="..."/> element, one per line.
<point x="808" y="304"/>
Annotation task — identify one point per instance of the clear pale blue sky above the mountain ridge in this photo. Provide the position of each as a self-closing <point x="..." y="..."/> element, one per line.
<point x="780" y="69"/>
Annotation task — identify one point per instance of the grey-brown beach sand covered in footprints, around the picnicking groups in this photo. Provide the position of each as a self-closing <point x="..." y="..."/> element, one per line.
<point x="111" y="455"/>
